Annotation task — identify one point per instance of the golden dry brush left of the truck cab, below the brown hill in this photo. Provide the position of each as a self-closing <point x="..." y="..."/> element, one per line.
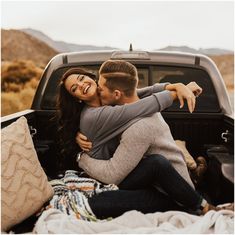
<point x="19" y="80"/>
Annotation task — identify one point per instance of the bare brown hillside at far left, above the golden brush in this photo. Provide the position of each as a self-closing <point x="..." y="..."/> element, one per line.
<point x="17" y="45"/>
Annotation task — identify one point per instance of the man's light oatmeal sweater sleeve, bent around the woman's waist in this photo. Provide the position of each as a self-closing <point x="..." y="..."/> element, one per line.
<point x="134" y="144"/>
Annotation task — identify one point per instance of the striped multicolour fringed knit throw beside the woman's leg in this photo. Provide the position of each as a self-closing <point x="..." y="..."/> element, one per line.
<point x="72" y="193"/>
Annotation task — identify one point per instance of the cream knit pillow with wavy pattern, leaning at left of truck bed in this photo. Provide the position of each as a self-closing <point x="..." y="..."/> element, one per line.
<point x="24" y="185"/>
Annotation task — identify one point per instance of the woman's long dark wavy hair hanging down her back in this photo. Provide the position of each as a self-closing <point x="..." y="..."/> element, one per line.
<point x="68" y="119"/>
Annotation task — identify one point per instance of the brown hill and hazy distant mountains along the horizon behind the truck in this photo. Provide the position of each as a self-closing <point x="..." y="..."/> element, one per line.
<point x="30" y="44"/>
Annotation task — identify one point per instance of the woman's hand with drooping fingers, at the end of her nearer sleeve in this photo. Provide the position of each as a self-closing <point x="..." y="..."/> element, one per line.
<point x="182" y="92"/>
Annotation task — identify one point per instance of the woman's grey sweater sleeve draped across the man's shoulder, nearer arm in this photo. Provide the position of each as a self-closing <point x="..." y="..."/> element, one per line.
<point x="103" y="121"/>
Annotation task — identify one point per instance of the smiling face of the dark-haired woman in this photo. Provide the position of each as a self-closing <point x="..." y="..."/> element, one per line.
<point x="81" y="87"/>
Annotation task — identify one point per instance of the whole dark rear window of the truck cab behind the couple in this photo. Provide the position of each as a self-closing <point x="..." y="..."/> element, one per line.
<point x="148" y="75"/>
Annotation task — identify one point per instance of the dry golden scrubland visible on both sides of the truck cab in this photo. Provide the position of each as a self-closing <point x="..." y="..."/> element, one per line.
<point x="20" y="79"/>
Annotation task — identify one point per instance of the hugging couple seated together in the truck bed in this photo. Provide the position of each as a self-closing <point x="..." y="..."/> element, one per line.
<point x="130" y="144"/>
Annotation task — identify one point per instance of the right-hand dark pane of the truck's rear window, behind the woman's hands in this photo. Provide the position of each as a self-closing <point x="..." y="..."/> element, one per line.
<point x="207" y="102"/>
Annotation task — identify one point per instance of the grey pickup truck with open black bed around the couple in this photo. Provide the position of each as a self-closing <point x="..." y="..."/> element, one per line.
<point x="208" y="131"/>
